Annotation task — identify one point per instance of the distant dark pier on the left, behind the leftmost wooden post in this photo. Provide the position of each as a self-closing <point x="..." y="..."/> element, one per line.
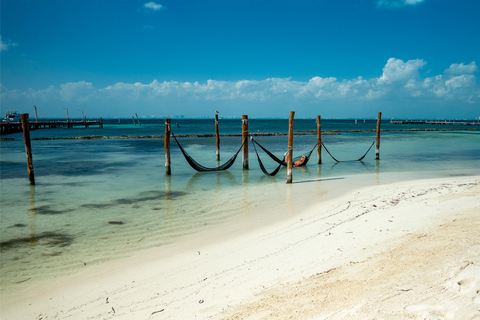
<point x="12" y="127"/>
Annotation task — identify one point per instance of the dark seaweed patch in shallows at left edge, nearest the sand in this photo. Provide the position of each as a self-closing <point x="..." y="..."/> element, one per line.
<point x="51" y="239"/>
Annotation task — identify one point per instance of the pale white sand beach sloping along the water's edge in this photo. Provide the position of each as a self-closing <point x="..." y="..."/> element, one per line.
<point x="408" y="250"/>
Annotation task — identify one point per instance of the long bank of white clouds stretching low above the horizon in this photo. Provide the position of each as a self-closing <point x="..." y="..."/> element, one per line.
<point x="400" y="83"/>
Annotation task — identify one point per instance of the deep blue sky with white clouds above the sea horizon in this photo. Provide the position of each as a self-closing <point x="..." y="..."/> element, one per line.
<point x="336" y="58"/>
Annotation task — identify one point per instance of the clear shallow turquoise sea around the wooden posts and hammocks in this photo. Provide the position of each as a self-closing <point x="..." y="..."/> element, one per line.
<point x="99" y="200"/>
